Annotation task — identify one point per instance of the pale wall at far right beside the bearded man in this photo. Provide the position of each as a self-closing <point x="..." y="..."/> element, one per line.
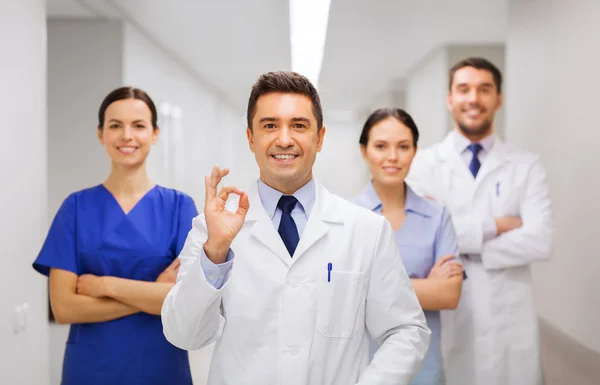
<point x="552" y="102"/>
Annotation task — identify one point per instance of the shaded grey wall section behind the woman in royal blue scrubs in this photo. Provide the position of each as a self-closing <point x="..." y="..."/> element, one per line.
<point x="84" y="64"/>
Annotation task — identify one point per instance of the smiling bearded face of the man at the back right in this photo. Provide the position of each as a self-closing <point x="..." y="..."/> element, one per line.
<point x="473" y="100"/>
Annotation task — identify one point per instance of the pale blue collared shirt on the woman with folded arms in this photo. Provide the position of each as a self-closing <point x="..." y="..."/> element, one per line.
<point x="426" y="235"/>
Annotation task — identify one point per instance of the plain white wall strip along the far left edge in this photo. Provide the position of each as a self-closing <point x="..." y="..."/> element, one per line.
<point x="23" y="355"/>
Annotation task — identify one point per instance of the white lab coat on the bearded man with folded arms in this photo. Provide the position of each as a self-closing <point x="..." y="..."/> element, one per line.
<point x="492" y="337"/>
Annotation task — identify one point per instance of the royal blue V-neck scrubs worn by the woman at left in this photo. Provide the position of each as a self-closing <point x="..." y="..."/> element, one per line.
<point x="91" y="234"/>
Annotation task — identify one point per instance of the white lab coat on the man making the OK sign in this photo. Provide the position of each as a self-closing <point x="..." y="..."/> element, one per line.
<point x="278" y="320"/>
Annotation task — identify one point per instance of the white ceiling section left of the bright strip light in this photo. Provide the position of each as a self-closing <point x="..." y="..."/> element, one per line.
<point x="227" y="43"/>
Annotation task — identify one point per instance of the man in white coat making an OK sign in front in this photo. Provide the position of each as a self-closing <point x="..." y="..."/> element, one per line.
<point x="289" y="279"/>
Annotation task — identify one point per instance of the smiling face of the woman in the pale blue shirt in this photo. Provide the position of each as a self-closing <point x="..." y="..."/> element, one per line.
<point x="389" y="152"/>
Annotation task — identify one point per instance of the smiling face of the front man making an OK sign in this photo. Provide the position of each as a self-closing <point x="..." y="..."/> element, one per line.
<point x="285" y="140"/>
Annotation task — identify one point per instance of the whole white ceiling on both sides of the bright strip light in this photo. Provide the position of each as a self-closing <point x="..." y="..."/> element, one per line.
<point x="371" y="45"/>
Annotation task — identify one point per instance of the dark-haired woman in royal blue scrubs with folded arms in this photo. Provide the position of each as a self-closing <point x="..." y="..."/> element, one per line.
<point x="111" y="257"/>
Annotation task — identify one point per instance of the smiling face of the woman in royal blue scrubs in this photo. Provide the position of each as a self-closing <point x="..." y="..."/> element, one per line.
<point x="127" y="133"/>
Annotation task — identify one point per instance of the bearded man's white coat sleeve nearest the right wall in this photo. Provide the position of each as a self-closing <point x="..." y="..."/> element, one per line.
<point x="533" y="240"/>
